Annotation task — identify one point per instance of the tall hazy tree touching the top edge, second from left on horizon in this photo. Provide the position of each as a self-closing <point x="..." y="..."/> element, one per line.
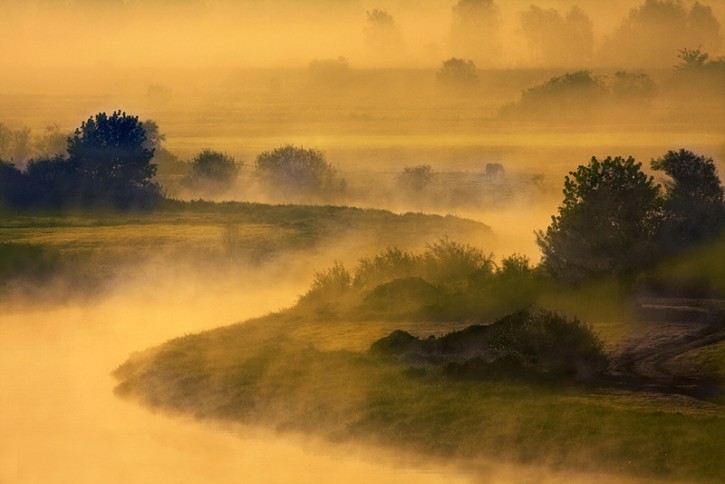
<point x="475" y="30"/>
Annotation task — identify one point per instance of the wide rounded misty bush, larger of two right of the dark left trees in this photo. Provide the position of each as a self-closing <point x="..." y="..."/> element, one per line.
<point x="296" y="170"/>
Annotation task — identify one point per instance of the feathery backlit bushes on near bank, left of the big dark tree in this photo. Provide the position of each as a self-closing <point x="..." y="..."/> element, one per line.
<point x="447" y="281"/>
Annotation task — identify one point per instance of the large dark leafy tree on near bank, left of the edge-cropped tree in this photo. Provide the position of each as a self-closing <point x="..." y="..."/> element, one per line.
<point x="606" y="224"/>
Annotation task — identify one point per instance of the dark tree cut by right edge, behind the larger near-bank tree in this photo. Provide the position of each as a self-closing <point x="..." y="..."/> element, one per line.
<point x="694" y="206"/>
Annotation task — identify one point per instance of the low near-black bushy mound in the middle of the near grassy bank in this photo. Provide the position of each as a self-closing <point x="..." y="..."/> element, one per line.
<point x="527" y="344"/>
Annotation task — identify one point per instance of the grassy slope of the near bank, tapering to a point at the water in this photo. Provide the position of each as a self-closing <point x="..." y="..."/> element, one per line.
<point x="278" y="372"/>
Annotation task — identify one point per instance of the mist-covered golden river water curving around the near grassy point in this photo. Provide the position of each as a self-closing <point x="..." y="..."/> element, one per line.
<point x="62" y="423"/>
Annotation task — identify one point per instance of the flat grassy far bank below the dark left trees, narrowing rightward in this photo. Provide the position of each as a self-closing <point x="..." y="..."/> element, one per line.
<point x="96" y="246"/>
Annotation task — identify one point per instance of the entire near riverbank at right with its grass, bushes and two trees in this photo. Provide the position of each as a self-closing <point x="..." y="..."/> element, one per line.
<point x="448" y="352"/>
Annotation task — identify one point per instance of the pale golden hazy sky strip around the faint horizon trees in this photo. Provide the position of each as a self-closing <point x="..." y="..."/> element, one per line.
<point x="252" y="33"/>
